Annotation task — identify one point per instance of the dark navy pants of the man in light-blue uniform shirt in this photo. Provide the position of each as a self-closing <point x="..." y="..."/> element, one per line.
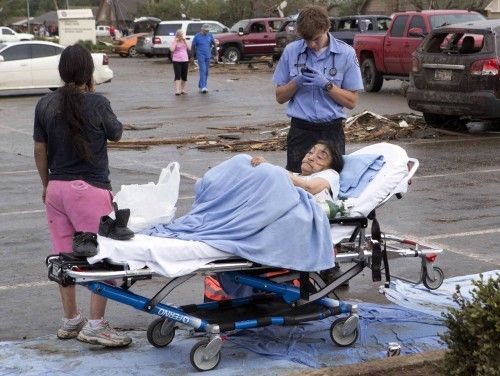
<point x="303" y="135"/>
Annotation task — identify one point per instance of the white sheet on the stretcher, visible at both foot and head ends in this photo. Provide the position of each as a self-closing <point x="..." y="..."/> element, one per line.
<point x="175" y="257"/>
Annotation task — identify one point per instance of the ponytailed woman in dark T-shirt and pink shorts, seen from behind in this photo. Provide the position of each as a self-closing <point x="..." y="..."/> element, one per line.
<point x="71" y="128"/>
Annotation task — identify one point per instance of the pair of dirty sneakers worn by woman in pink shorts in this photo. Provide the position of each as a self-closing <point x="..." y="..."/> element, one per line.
<point x="103" y="335"/>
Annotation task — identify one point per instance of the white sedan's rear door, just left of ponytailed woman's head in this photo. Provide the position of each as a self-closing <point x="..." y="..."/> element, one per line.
<point x="44" y="65"/>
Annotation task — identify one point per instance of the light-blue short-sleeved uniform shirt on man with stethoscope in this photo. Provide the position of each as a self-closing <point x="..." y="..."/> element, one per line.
<point x="313" y="104"/>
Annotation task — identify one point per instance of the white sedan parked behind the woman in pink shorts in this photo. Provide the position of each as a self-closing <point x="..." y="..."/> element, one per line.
<point x="34" y="65"/>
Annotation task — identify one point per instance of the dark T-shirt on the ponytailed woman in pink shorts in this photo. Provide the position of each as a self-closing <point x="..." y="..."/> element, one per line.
<point x="63" y="160"/>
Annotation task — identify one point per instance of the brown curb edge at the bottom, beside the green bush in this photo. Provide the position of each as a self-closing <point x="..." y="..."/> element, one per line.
<point x="396" y="365"/>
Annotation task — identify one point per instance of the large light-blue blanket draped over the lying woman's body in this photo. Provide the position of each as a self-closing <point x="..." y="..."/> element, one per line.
<point x="258" y="214"/>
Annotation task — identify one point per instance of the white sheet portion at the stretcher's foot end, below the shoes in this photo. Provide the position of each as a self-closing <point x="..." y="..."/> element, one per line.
<point x="165" y="256"/>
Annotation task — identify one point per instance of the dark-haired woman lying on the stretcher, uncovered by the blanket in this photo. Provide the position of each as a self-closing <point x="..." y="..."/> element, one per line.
<point x="319" y="171"/>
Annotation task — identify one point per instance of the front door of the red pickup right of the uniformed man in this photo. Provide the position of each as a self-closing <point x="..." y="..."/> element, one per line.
<point x="393" y="45"/>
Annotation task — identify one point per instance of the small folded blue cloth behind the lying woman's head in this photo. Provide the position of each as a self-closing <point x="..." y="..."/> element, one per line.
<point x="358" y="171"/>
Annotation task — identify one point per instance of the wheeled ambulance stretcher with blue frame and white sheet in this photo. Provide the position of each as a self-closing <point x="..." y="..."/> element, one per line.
<point x="280" y="297"/>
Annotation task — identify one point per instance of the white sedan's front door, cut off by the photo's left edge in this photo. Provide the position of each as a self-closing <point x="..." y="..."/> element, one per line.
<point x="15" y="67"/>
